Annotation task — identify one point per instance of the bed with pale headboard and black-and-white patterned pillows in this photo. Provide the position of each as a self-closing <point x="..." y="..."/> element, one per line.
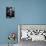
<point x="32" y="35"/>
